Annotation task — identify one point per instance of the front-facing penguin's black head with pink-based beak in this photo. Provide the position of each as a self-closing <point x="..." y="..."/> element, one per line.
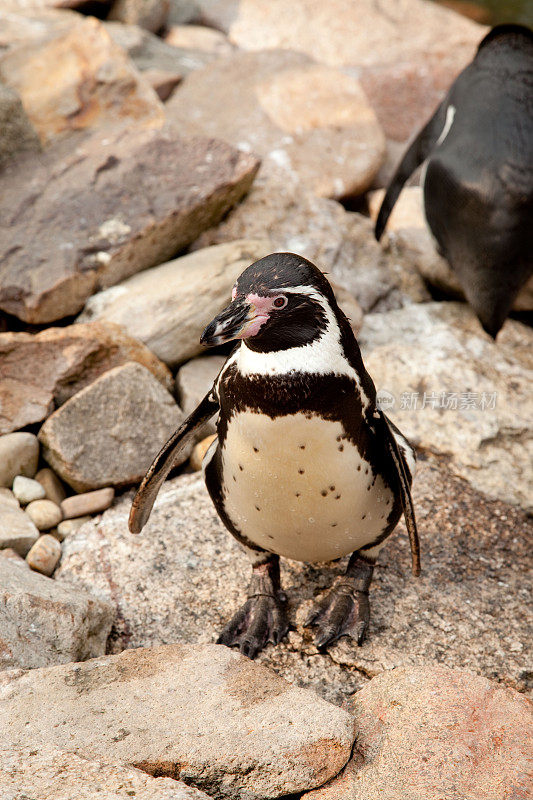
<point x="280" y="301"/>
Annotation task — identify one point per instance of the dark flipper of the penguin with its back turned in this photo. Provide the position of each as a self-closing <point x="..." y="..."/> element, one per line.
<point x="417" y="152"/>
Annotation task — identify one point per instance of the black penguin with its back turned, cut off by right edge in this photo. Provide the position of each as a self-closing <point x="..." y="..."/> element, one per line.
<point x="478" y="184"/>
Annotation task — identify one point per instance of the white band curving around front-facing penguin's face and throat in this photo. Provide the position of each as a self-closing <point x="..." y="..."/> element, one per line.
<point x="323" y="356"/>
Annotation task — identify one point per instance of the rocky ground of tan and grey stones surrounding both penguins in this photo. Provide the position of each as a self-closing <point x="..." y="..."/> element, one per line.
<point x="148" y="154"/>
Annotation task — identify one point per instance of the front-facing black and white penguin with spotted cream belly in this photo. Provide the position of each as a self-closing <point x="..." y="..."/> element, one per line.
<point x="304" y="465"/>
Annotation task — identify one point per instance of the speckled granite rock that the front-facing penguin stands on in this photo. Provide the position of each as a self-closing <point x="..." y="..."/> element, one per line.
<point x="185" y="575"/>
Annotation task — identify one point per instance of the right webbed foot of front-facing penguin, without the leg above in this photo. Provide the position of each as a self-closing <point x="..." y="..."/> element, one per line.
<point x="340" y="613"/>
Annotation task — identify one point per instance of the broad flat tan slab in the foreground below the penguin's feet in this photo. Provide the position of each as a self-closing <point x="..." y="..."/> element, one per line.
<point x="228" y="721"/>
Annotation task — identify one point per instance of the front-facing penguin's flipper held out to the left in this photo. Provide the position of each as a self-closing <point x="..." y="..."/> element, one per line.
<point x="165" y="460"/>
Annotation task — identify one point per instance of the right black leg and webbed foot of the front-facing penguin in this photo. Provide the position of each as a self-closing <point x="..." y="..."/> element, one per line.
<point x="345" y="609"/>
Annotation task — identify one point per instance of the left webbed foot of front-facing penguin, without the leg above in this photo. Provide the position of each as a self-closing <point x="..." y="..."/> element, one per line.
<point x="262" y="619"/>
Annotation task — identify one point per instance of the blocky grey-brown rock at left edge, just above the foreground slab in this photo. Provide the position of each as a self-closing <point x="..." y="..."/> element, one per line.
<point x="45" y="623"/>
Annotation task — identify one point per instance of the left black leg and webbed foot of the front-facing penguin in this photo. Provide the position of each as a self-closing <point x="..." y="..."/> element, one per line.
<point x="263" y="618"/>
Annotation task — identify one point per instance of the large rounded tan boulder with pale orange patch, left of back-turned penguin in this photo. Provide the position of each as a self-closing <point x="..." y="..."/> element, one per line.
<point x="310" y="122"/>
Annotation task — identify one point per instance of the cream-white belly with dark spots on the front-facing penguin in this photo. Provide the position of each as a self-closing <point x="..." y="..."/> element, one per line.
<point x="296" y="487"/>
